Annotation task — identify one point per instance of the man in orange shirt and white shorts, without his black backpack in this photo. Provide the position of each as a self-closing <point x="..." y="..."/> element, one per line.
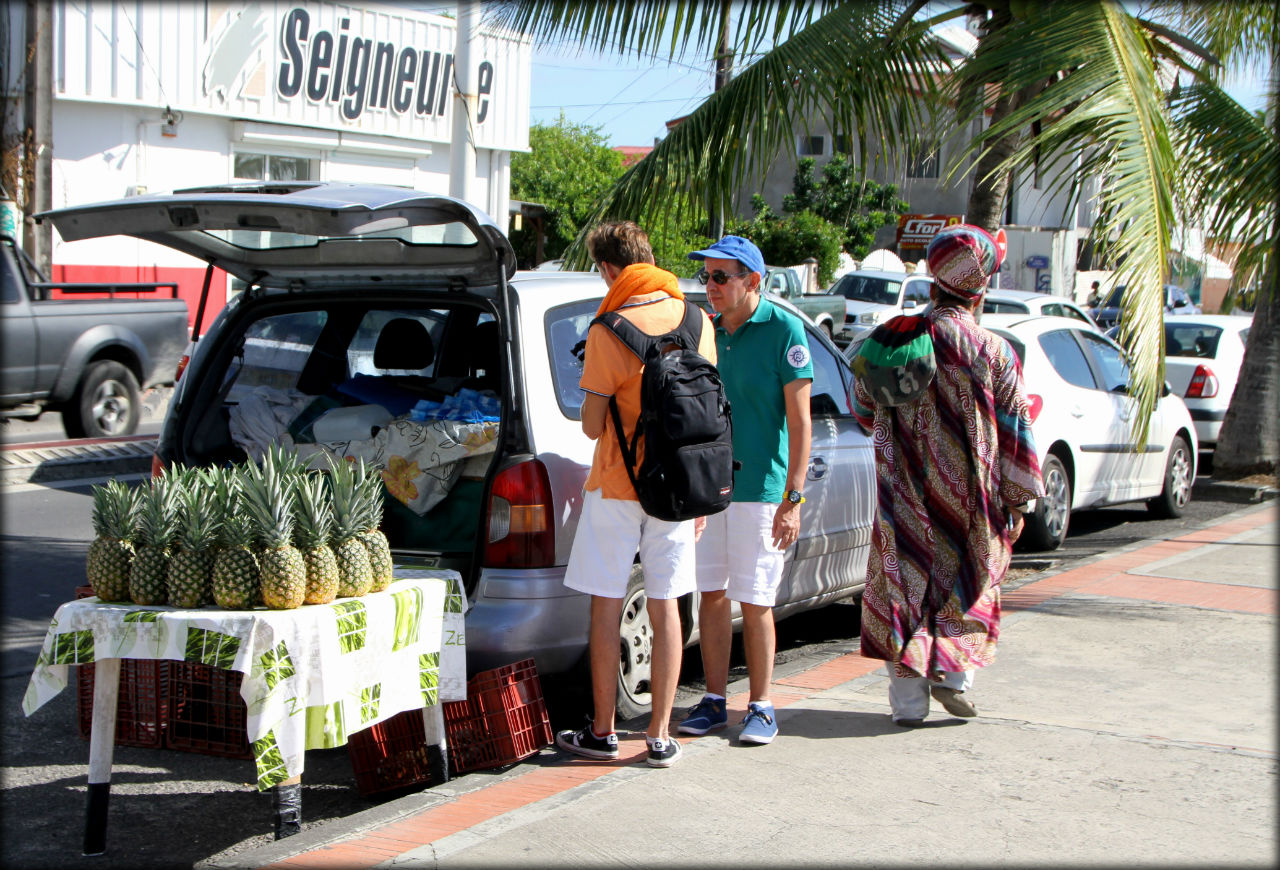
<point x="614" y="528"/>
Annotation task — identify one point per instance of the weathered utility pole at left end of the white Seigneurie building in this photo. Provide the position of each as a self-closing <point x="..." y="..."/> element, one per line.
<point x="39" y="131"/>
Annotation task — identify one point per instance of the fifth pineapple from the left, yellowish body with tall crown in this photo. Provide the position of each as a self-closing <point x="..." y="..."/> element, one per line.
<point x="269" y="502"/>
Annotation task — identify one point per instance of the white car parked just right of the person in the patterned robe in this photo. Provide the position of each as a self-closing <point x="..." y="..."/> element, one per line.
<point x="1084" y="423"/>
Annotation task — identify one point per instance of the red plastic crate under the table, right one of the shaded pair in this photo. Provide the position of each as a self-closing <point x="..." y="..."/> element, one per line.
<point x="207" y="712"/>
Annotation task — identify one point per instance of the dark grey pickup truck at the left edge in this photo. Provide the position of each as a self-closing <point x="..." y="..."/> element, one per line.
<point x="86" y="359"/>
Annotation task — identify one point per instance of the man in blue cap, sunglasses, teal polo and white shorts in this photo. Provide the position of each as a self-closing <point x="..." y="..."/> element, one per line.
<point x="767" y="373"/>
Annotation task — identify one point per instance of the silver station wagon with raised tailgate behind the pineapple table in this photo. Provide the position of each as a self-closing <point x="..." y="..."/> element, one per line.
<point x="339" y="268"/>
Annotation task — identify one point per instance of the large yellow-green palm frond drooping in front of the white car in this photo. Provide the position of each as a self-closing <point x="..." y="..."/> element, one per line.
<point x="1091" y="70"/>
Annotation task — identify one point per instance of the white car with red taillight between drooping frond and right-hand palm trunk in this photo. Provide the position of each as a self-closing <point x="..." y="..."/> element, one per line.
<point x="1203" y="363"/>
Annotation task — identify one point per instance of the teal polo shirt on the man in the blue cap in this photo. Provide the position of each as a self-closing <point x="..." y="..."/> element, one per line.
<point x="766" y="354"/>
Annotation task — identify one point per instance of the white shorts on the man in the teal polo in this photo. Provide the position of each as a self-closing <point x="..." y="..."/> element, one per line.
<point x="737" y="555"/>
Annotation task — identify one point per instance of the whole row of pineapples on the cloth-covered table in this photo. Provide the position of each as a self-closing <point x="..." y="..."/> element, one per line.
<point x="276" y="534"/>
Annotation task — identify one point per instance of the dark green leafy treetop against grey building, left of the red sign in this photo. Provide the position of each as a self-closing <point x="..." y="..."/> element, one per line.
<point x="860" y="208"/>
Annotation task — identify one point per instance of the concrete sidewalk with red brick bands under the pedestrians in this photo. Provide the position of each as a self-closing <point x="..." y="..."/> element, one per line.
<point x="1130" y="720"/>
